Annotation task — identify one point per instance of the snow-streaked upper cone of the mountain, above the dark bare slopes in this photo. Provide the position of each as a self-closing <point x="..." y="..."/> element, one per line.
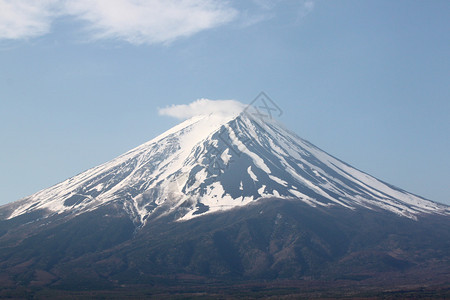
<point x="215" y="162"/>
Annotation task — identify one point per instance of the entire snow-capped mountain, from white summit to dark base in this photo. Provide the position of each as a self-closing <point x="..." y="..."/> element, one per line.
<point x="223" y="197"/>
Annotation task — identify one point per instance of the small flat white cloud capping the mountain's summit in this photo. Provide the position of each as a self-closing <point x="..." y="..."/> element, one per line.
<point x="203" y="107"/>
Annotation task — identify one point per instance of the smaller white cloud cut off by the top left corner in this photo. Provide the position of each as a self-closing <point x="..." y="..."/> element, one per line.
<point x="21" y="19"/>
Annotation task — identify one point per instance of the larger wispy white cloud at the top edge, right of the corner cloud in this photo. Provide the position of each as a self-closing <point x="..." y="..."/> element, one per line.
<point x="149" y="21"/>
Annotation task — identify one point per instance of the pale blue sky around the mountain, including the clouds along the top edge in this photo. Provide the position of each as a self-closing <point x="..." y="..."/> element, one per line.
<point x="367" y="81"/>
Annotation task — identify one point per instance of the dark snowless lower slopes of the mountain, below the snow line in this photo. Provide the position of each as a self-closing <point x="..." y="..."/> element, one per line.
<point x="268" y="243"/>
